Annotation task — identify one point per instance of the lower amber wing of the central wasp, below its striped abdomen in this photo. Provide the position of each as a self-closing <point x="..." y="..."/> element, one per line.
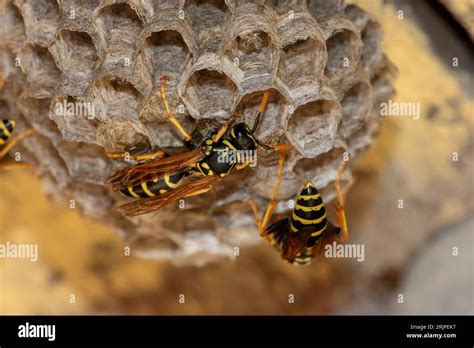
<point x="186" y="189"/>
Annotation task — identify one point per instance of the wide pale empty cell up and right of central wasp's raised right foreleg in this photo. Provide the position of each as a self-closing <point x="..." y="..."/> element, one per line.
<point x="301" y="63"/>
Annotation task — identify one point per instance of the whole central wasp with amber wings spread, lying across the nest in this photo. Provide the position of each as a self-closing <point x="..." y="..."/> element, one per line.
<point x="160" y="179"/>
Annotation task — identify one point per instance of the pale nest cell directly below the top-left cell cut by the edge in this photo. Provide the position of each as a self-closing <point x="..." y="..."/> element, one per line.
<point x="42" y="73"/>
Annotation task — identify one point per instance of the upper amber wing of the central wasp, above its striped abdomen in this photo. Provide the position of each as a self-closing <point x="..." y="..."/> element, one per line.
<point x="172" y="164"/>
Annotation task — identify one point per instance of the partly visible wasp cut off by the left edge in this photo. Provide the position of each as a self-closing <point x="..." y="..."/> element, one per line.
<point x="7" y="142"/>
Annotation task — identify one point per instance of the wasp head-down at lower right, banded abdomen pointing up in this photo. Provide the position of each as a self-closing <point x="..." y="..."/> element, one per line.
<point x="303" y="235"/>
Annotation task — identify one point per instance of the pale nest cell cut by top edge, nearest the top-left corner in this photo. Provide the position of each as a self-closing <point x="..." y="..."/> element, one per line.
<point x="41" y="18"/>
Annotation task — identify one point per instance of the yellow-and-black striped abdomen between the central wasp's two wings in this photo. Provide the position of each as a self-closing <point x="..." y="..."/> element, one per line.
<point x="153" y="187"/>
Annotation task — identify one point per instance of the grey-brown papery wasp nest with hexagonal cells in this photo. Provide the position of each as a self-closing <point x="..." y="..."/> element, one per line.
<point x="321" y="60"/>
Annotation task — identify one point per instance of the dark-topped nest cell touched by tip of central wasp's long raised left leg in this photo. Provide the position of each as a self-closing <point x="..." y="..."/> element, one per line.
<point x="166" y="53"/>
